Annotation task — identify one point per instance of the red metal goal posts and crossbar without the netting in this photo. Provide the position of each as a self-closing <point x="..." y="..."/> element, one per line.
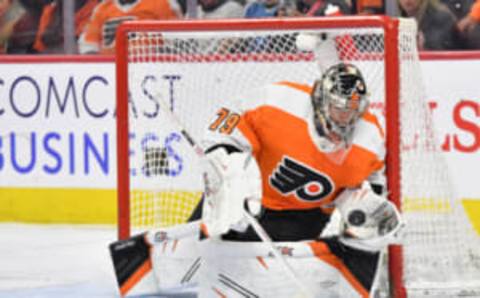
<point x="392" y="93"/>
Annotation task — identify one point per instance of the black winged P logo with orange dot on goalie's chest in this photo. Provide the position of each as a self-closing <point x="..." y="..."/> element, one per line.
<point x="307" y="184"/>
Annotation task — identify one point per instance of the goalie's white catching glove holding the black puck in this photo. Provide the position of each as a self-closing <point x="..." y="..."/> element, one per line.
<point x="371" y="222"/>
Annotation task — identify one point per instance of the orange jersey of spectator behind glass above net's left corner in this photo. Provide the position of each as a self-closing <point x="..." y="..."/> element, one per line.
<point x="99" y="34"/>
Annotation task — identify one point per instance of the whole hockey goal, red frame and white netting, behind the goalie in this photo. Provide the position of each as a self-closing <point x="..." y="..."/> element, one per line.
<point x="196" y="68"/>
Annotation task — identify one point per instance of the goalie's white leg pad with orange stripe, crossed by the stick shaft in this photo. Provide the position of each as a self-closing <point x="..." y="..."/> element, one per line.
<point x="240" y="269"/>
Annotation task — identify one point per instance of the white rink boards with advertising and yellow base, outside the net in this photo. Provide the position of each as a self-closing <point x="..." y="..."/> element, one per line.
<point x="61" y="113"/>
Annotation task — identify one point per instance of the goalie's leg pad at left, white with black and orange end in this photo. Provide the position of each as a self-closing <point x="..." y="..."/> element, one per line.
<point x="161" y="262"/>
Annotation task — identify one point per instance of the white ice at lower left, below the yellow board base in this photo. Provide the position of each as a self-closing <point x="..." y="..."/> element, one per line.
<point x="56" y="261"/>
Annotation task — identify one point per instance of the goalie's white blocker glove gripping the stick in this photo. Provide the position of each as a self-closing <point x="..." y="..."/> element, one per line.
<point x="231" y="181"/>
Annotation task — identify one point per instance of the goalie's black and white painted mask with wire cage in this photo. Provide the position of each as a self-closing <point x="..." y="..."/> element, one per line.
<point x="339" y="99"/>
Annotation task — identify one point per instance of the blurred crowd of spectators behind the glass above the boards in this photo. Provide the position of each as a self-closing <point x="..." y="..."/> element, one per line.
<point x="89" y="26"/>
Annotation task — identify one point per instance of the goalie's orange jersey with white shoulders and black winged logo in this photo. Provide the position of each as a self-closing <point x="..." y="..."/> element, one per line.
<point x="276" y="125"/>
